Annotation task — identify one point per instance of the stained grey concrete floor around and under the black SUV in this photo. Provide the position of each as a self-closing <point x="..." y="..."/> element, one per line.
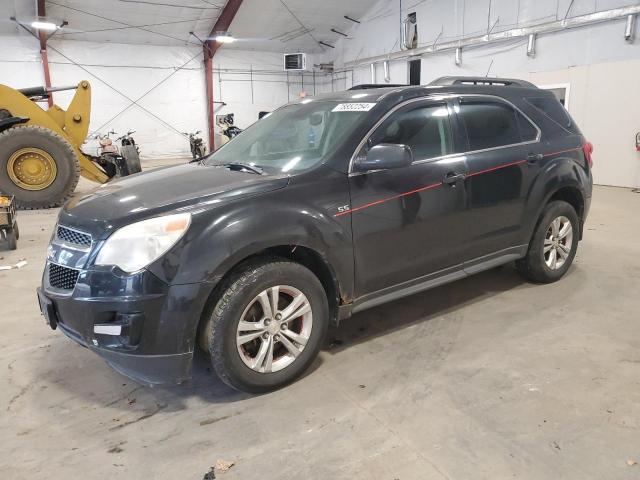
<point x="490" y="377"/>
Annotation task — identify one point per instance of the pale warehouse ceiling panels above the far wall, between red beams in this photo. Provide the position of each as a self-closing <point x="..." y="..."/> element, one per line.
<point x="273" y="25"/>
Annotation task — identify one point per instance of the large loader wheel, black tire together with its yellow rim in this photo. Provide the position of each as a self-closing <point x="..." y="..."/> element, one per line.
<point x="37" y="166"/>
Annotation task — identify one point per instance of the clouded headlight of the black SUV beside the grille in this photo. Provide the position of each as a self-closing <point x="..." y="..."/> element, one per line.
<point x="137" y="245"/>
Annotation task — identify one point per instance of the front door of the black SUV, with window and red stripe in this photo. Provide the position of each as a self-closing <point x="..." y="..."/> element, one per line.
<point x="406" y="221"/>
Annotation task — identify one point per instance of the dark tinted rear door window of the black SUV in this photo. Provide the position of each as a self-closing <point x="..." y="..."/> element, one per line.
<point x="489" y="124"/>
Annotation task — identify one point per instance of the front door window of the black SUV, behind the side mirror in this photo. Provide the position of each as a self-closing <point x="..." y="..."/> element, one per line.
<point x="425" y="129"/>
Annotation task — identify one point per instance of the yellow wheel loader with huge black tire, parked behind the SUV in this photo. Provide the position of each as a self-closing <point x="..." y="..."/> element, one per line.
<point x="40" y="155"/>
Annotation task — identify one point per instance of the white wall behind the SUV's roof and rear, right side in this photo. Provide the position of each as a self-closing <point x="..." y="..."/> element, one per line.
<point x="603" y="69"/>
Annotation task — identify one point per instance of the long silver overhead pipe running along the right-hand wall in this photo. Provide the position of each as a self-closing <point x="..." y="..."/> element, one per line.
<point x="492" y="38"/>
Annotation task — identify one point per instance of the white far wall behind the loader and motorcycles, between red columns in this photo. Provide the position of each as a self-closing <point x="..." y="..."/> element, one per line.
<point x="170" y="99"/>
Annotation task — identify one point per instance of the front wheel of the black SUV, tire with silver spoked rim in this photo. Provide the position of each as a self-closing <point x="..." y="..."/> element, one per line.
<point x="236" y="299"/>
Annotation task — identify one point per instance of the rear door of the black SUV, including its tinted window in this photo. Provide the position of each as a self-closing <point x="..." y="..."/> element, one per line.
<point x="503" y="156"/>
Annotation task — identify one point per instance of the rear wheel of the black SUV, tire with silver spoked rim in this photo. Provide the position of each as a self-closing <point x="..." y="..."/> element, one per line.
<point x="535" y="265"/>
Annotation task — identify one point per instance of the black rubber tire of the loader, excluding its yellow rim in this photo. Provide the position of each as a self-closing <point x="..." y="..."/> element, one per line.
<point x="62" y="153"/>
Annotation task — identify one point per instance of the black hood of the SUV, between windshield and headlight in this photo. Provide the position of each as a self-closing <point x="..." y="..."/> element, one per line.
<point x="152" y="193"/>
